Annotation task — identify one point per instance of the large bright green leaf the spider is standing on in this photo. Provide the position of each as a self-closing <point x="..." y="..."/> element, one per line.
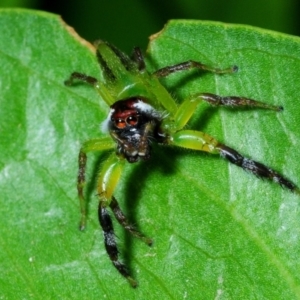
<point x="219" y="232"/>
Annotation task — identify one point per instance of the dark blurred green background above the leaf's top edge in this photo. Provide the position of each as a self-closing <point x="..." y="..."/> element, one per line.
<point x="128" y="23"/>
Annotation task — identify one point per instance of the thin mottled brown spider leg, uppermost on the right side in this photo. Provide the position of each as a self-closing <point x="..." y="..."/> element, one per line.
<point x="191" y="64"/>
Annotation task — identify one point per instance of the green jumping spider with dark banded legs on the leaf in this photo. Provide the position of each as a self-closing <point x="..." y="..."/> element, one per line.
<point x="143" y="112"/>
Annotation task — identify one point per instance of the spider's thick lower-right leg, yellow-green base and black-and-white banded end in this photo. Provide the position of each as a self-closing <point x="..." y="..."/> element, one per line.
<point x="198" y="140"/>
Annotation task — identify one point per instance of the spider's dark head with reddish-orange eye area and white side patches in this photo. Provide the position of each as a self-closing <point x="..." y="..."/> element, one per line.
<point x="133" y="124"/>
